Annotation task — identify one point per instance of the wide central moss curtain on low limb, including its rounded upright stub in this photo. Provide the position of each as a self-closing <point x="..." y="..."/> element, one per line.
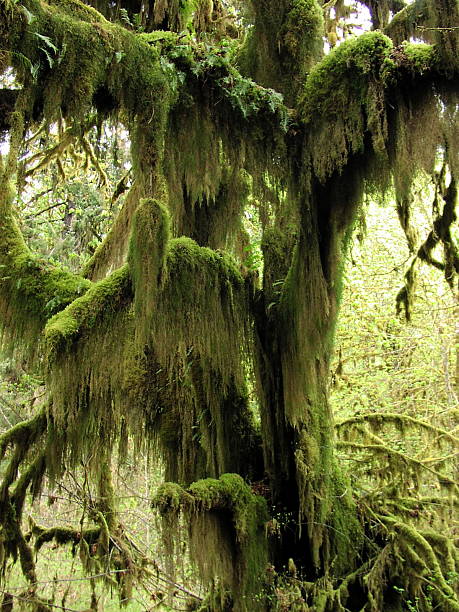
<point x="196" y="375"/>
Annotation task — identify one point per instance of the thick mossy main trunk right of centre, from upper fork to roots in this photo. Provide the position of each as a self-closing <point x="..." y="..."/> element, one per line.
<point x="295" y="320"/>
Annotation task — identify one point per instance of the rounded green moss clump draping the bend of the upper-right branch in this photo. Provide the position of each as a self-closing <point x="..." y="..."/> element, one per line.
<point x="338" y="117"/>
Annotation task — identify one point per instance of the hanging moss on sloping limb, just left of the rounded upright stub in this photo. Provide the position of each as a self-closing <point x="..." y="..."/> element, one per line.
<point x="89" y="337"/>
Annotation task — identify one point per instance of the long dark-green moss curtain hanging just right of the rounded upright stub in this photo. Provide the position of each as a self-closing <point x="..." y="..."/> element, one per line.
<point x="198" y="332"/>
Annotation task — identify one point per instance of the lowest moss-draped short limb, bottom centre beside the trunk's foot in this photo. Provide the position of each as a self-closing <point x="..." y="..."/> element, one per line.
<point x="227" y="535"/>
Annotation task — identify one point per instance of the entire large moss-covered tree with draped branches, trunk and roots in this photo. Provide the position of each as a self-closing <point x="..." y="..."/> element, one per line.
<point x="166" y="330"/>
